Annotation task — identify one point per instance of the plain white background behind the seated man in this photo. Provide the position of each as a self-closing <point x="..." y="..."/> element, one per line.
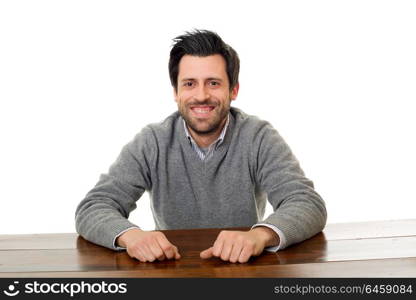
<point x="78" y="79"/>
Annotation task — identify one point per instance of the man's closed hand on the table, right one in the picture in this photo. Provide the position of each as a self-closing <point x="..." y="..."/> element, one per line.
<point x="239" y="246"/>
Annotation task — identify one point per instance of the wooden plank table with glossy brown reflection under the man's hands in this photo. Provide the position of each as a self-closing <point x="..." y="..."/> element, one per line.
<point x="368" y="249"/>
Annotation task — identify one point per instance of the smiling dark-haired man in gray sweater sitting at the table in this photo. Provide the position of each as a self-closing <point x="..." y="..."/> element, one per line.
<point x="208" y="165"/>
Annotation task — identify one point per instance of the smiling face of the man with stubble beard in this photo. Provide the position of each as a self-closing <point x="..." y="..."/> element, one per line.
<point x="203" y="94"/>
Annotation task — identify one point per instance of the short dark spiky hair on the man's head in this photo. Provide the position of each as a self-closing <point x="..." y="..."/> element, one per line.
<point x="203" y="43"/>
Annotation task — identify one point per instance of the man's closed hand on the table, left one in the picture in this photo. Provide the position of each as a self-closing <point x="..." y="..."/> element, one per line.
<point x="147" y="245"/>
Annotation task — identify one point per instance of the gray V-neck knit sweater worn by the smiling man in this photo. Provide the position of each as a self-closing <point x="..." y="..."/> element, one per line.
<point x="252" y="164"/>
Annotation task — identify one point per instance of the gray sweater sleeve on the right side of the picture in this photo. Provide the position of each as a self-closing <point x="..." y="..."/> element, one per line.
<point x="299" y="211"/>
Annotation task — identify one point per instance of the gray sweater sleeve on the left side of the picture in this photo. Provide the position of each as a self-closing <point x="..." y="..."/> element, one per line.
<point x="104" y="212"/>
